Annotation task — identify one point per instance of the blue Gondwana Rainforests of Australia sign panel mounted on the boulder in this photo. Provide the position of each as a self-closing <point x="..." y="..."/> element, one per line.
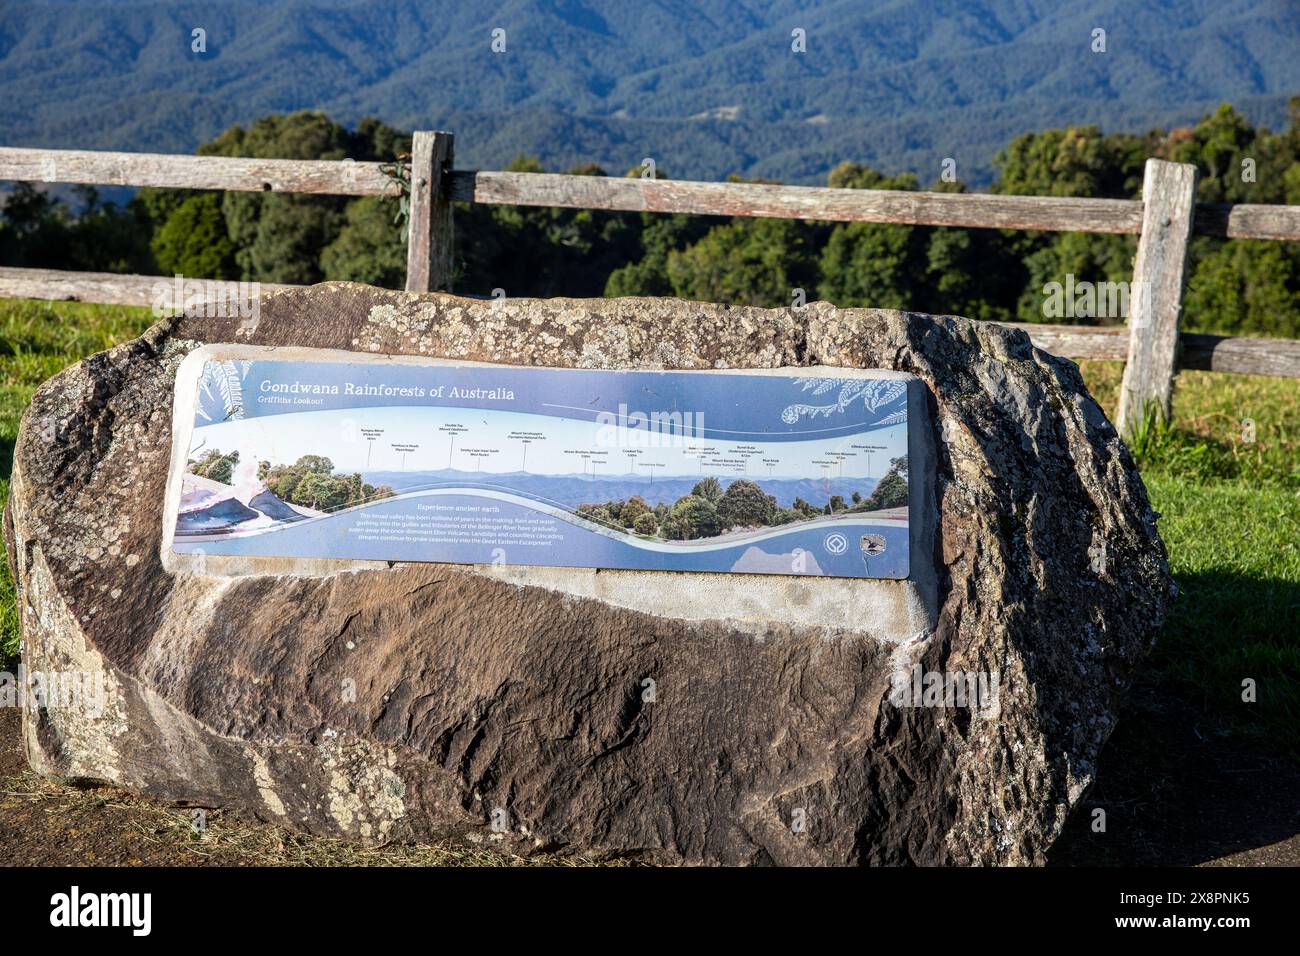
<point x="791" y="471"/>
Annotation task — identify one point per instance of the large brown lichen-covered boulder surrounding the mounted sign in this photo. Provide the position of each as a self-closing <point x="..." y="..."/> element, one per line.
<point x="513" y="704"/>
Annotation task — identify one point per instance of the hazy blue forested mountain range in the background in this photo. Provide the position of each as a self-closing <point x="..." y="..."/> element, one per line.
<point x="707" y="88"/>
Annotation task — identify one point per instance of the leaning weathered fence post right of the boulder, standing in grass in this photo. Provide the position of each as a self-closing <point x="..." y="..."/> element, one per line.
<point x="1156" y="297"/>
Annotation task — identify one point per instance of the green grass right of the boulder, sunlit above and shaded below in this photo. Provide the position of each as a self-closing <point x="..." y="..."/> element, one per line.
<point x="1230" y="518"/>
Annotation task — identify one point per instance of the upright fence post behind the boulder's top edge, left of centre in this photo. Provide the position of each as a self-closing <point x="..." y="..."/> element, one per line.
<point x="430" y="240"/>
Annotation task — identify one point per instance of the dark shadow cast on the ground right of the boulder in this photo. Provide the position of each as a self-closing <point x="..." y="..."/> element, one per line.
<point x="1193" y="773"/>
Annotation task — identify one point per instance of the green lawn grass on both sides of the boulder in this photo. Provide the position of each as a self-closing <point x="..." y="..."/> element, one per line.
<point x="1230" y="513"/>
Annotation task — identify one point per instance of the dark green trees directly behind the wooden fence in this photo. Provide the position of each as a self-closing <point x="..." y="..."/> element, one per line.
<point x="1236" y="287"/>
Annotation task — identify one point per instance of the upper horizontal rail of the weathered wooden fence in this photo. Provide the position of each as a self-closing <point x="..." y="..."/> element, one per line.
<point x="357" y="179"/>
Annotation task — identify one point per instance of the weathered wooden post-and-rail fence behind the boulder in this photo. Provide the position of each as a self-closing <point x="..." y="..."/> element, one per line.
<point x="1164" y="220"/>
